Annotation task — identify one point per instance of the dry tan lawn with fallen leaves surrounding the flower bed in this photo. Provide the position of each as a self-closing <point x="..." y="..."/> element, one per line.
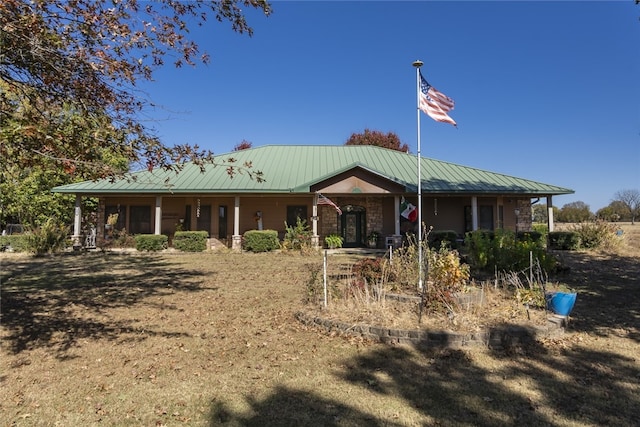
<point x="210" y="339"/>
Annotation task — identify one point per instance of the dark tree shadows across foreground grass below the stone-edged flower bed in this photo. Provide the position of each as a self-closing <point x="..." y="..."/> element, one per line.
<point x="446" y="387"/>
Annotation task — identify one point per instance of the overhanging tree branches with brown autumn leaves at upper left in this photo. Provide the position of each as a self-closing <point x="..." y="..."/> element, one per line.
<point x="69" y="71"/>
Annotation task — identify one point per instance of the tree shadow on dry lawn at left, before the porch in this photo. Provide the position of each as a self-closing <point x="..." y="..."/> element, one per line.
<point x="45" y="300"/>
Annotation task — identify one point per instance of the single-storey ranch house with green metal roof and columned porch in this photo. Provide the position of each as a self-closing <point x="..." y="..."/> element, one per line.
<point x="370" y="185"/>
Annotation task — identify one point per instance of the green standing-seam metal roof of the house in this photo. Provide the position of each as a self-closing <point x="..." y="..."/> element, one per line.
<point x="295" y="168"/>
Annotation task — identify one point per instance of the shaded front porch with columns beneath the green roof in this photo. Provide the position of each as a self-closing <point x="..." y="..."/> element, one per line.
<point x="360" y="216"/>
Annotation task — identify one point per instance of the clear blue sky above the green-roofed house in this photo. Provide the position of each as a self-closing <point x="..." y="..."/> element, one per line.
<point x="548" y="91"/>
